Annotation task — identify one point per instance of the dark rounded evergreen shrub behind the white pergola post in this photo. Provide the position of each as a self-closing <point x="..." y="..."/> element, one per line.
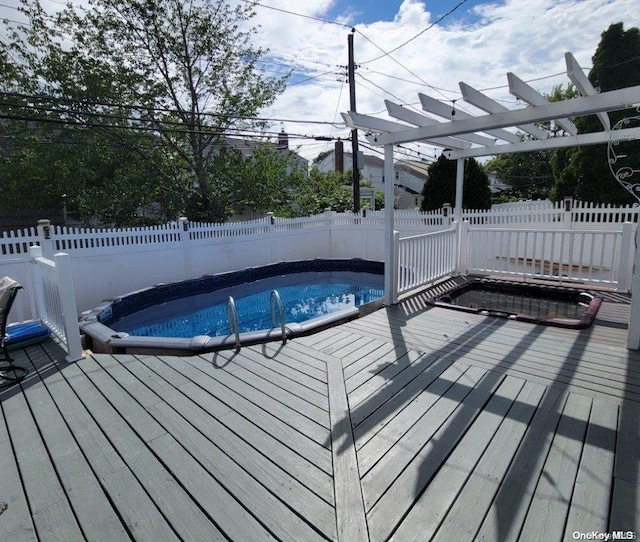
<point x="440" y="187"/>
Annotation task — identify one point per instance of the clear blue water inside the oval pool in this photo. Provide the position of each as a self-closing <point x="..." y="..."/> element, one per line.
<point x="304" y="296"/>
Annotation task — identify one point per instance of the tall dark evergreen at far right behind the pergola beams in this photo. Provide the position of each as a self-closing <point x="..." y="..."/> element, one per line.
<point x="584" y="172"/>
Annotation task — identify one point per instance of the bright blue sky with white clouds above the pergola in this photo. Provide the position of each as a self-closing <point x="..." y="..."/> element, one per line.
<point x="402" y="48"/>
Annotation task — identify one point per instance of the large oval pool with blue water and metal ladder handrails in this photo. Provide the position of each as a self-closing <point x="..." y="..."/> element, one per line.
<point x="197" y="315"/>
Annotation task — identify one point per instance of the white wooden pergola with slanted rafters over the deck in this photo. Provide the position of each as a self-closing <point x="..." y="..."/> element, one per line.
<point x="462" y="135"/>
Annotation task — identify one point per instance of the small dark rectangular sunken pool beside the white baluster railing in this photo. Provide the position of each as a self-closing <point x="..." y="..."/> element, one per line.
<point x="540" y="304"/>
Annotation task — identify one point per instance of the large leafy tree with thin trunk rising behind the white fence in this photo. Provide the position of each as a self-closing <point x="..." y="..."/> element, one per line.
<point x="181" y="71"/>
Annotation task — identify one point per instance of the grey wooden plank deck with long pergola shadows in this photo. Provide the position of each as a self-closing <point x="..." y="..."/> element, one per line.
<point x="412" y="423"/>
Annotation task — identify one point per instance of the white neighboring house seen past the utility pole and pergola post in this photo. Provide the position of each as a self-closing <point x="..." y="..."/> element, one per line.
<point x="408" y="182"/>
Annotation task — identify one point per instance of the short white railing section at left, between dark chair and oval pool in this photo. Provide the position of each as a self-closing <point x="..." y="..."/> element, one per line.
<point x="55" y="300"/>
